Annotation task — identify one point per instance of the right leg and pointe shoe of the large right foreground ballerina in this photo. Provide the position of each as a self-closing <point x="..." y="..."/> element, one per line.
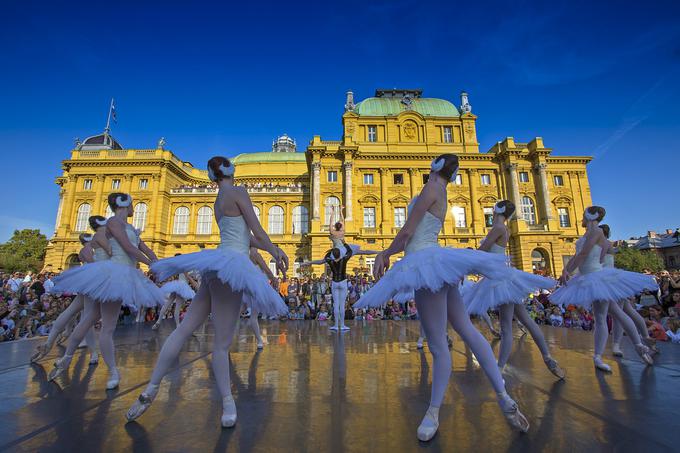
<point x="461" y="323"/>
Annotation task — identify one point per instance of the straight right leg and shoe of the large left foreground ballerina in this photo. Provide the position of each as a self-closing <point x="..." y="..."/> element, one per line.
<point x="225" y="309"/>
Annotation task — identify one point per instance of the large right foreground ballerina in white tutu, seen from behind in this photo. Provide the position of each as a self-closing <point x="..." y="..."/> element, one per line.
<point x="434" y="273"/>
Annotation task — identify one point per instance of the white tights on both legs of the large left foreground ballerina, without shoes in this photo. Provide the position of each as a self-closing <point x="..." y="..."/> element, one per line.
<point x="213" y="297"/>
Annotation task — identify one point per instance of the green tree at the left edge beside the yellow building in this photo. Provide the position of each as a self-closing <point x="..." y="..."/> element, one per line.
<point x="24" y="251"/>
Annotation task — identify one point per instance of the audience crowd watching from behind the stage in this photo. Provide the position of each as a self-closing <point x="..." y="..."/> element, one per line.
<point x="29" y="306"/>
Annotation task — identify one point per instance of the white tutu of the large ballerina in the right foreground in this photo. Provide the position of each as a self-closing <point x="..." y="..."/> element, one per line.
<point x="432" y="268"/>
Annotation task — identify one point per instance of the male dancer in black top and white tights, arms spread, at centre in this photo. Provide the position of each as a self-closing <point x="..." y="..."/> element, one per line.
<point x="337" y="259"/>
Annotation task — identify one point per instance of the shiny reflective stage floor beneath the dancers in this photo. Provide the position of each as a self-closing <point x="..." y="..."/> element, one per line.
<point x="313" y="390"/>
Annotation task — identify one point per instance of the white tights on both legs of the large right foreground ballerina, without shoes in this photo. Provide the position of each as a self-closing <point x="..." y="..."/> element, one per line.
<point x="434" y="310"/>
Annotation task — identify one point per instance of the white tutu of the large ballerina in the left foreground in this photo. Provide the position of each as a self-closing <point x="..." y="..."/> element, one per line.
<point x="232" y="268"/>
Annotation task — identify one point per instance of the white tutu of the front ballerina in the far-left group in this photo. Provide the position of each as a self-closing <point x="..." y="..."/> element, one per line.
<point x="110" y="281"/>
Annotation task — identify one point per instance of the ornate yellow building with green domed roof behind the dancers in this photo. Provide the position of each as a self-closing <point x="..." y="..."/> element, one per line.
<point x="381" y="161"/>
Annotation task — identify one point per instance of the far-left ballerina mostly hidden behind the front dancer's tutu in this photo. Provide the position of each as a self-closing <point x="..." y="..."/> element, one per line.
<point x="95" y="248"/>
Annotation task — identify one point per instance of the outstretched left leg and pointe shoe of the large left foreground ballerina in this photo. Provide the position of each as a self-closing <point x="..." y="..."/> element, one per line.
<point x="195" y="316"/>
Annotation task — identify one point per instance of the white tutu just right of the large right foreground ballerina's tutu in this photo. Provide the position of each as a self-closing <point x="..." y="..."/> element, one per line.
<point x="489" y="293"/>
